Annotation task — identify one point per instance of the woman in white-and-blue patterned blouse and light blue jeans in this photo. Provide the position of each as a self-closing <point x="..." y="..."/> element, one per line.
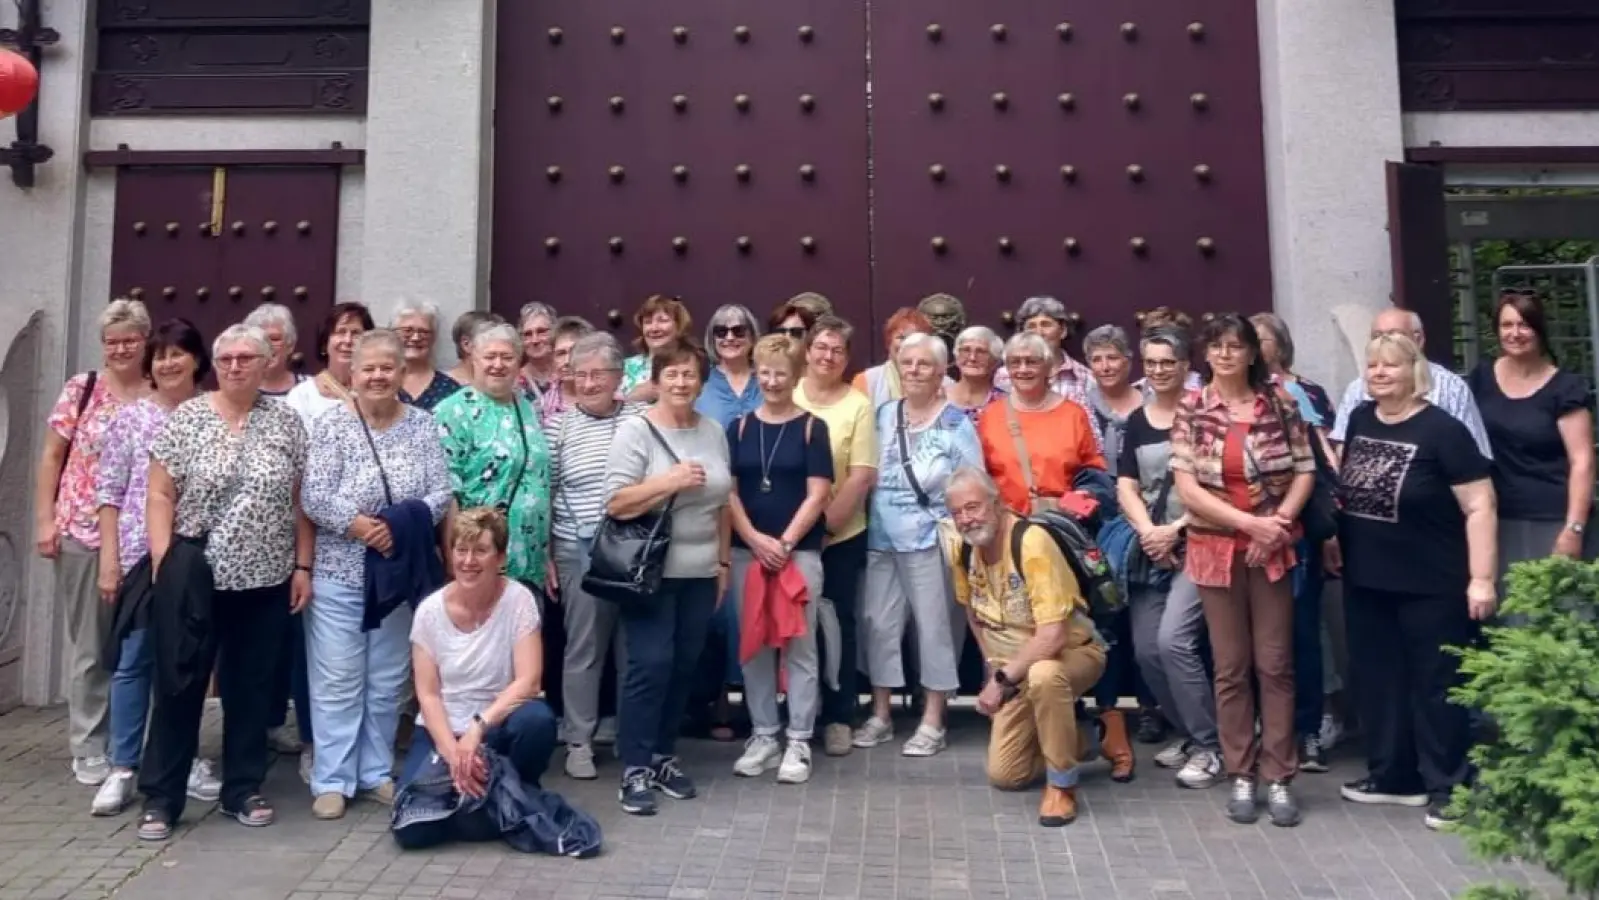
<point x="364" y="460"/>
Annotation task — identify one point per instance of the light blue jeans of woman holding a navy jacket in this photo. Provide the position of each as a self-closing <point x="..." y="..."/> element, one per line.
<point x="356" y="685"/>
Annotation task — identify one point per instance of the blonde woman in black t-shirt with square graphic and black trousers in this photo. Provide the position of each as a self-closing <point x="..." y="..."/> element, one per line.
<point x="1416" y="546"/>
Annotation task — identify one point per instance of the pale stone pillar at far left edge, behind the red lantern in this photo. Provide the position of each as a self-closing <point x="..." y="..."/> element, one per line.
<point x="39" y="279"/>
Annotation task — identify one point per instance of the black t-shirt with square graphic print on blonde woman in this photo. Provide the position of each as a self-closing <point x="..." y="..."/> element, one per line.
<point x="1402" y="527"/>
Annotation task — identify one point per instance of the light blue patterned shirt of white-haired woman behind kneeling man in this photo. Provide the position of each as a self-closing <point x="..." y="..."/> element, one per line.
<point x="898" y="520"/>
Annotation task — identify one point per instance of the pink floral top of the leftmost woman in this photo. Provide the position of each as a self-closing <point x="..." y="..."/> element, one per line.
<point x="78" y="509"/>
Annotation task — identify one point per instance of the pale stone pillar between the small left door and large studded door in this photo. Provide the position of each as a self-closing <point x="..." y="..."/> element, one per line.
<point x="428" y="157"/>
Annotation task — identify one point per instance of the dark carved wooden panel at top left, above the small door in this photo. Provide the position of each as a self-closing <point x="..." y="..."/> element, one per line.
<point x="244" y="57"/>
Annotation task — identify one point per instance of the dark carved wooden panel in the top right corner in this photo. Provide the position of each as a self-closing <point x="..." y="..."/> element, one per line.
<point x="1499" y="55"/>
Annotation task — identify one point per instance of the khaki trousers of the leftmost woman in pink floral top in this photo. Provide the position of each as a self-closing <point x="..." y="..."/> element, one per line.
<point x="89" y="623"/>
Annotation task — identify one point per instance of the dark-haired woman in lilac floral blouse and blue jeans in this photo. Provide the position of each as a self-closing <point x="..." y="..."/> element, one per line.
<point x="177" y="362"/>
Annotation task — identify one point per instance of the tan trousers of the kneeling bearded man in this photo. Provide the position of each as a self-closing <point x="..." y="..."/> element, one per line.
<point x="1037" y="733"/>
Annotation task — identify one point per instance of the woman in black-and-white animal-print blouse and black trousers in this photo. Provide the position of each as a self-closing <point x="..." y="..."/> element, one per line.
<point x="226" y="480"/>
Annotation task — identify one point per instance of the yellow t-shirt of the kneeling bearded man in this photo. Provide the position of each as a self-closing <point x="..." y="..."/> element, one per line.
<point x="1008" y="607"/>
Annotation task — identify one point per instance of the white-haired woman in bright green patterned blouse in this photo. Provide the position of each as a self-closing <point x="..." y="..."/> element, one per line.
<point x="498" y="455"/>
